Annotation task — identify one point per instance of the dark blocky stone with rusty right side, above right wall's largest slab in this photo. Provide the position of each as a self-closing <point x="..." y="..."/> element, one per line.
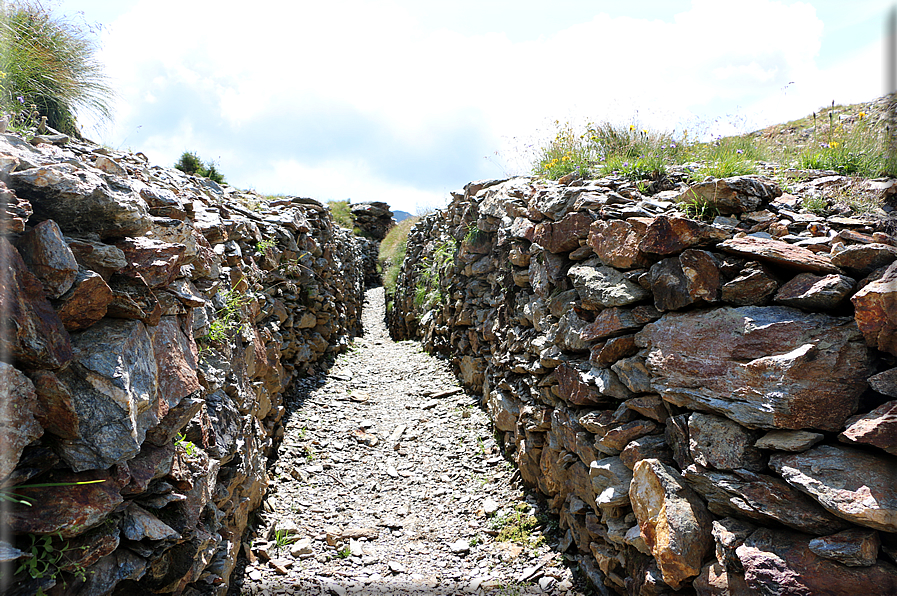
<point x="692" y="278"/>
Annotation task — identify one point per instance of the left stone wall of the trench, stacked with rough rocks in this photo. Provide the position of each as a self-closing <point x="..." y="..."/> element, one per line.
<point x="153" y="323"/>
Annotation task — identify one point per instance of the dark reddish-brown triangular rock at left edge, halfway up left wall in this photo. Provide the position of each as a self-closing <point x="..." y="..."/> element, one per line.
<point x="32" y="331"/>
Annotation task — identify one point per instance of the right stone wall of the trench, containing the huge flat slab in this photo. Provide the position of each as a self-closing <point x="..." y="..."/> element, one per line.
<point x="708" y="407"/>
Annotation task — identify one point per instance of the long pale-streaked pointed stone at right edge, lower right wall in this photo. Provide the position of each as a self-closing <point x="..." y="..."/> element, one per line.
<point x="855" y="485"/>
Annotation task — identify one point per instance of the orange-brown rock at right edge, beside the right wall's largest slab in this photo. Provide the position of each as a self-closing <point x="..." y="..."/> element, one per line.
<point x="876" y="311"/>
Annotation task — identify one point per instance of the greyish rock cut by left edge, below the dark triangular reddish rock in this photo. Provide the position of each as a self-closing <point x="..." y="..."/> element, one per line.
<point x="18" y="422"/>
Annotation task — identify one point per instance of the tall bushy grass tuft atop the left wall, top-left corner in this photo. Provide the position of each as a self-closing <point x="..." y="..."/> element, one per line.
<point x="49" y="68"/>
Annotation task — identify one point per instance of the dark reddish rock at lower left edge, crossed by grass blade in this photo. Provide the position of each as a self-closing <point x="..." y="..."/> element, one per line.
<point x="68" y="510"/>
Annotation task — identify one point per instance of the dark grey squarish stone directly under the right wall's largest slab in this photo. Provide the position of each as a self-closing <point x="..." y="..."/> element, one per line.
<point x="717" y="442"/>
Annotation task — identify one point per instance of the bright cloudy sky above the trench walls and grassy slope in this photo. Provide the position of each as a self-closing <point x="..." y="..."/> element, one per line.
<point x="405" y="100"/>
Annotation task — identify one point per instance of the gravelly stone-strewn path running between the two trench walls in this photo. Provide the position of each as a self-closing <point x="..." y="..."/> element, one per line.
<point x="388" y="481"/>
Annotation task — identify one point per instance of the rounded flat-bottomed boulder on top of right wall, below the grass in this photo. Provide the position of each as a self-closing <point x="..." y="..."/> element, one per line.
<point x="737" y="194"/>
